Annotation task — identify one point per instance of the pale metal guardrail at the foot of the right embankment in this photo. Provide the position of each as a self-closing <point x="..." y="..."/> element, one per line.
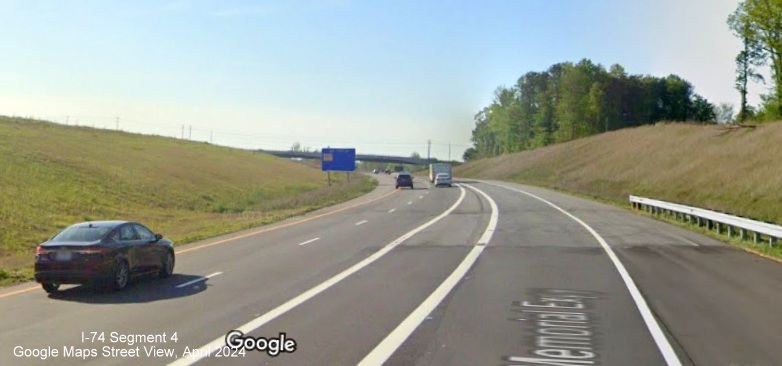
<point x="712" y="219"/>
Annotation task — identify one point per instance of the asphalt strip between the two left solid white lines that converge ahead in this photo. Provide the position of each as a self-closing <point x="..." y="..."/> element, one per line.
<point x="341" y="325"/>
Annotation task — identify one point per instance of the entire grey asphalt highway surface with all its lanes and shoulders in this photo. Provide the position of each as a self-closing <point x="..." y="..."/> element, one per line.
<point x="482" y="273"/>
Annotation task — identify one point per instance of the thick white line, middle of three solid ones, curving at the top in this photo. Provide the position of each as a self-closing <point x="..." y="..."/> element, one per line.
<point x="383" y="351"/>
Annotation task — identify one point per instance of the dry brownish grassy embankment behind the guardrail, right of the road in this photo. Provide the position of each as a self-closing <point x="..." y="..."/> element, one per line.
<point x="738" y="171"/>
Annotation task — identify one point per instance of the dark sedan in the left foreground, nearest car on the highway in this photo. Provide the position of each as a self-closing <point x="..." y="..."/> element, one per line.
<point x="107" y="252"/>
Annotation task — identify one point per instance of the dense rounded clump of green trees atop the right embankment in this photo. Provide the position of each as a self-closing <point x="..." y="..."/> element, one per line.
<point x="574" y="100"/>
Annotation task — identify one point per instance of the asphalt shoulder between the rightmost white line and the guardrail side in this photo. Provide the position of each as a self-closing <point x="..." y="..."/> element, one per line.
<point x="718" y="304"/>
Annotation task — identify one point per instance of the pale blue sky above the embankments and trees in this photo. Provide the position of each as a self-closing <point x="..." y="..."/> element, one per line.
<point x="384" y="77"/>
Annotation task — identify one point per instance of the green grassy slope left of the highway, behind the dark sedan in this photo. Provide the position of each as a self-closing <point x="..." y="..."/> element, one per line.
<point x="52" y="176"/>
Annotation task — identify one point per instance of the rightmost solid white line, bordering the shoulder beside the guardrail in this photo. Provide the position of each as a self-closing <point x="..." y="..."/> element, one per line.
<point x="646" y="313"/>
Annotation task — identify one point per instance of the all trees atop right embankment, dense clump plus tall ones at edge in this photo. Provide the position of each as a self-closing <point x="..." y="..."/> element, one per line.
<point x="574" y="100"/>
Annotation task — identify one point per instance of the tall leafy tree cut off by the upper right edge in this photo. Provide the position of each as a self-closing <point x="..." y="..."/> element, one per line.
<point x="759" y="23"/>
